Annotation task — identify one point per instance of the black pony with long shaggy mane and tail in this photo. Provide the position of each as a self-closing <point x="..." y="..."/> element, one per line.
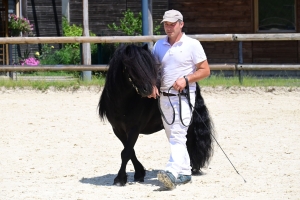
<point x="131" y="75"/>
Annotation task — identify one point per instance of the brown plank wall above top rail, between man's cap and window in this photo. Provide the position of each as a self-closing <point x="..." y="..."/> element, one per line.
<point x="215" y="16"/>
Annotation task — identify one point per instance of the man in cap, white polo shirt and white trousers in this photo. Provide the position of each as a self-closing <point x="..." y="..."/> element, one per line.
<point x="182" y="59"/>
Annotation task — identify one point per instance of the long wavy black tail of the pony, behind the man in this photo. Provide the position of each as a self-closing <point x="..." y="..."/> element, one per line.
<point x="200" y="135"/>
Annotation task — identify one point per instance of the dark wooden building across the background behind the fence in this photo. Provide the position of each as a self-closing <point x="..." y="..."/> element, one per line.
<point x="200" y="17"/>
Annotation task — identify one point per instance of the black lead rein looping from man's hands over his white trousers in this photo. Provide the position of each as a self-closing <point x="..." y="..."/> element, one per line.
<point x="187" y="95"/>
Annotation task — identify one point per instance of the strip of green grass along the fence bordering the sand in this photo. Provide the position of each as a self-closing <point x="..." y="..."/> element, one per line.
<point x="212" y="81"/>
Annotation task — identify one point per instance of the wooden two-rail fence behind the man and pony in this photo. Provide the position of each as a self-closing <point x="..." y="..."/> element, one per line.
<point x="240" y="66"/>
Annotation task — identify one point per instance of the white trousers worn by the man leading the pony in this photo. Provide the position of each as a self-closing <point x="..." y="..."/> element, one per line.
<point x="179" y="161"/>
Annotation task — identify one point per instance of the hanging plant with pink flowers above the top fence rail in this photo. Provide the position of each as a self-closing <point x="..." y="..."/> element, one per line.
<point x="17" y="24"/>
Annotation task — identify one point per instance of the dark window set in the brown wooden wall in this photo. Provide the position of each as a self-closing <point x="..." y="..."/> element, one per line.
<point x="275" y="15"/>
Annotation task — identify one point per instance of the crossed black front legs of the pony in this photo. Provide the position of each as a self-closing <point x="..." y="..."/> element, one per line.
<point x="127" y="154"/>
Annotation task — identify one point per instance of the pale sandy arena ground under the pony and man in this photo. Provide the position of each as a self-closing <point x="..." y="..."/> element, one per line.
<point x="54" y="146"/>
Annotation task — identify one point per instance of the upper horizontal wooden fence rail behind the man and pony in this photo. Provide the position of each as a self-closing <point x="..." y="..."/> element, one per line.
<point x="153" y="38"/>
